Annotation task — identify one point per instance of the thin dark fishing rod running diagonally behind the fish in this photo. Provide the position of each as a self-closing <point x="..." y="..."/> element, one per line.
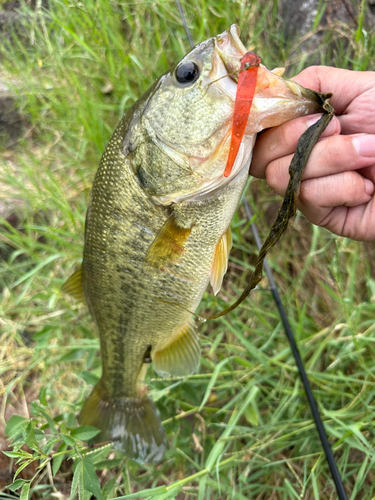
<point x="289" y="333"/>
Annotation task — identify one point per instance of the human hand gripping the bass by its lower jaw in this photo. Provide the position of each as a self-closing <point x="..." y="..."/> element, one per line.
<point x="337" y="190"/>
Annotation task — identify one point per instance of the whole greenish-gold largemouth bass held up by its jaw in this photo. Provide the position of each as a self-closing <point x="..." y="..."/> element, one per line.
<point x="158" y="228"/>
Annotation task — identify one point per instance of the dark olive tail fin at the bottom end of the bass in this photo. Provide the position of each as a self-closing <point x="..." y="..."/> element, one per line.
<point x="132" y="424"/>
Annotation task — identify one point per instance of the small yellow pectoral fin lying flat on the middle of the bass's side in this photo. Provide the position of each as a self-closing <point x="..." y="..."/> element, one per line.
<point x="169" y="244"/>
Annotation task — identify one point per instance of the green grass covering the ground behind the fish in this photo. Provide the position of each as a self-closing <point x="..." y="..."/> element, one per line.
<point x="241" y="427"/>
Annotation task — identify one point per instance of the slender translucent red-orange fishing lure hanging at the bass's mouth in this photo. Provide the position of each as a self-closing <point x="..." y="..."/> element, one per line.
<point x="247" y="80"/>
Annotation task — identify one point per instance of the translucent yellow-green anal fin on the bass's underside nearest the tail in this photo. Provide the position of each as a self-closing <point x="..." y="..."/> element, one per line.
<point x="181" y="356"/>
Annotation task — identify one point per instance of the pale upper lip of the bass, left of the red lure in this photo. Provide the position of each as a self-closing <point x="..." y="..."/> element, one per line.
<point x="231" y="50"/>
